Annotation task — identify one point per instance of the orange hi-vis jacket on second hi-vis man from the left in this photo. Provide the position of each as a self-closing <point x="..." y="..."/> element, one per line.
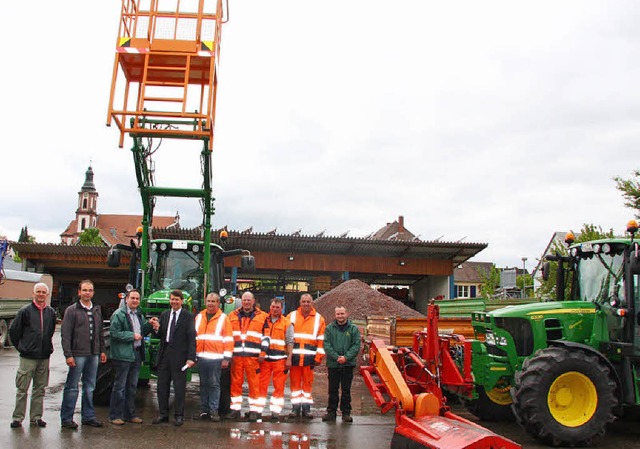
<point x="248" y="337"/>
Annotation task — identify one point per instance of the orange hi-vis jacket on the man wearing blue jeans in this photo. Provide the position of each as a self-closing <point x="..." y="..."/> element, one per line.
<point x="214" y="340"/>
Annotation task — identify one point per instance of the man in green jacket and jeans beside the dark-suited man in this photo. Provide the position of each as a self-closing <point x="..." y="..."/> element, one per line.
<point x="127" y="331"/>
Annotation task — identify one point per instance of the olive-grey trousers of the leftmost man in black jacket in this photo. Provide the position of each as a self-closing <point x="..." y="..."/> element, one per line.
<point x="38" y="371"/>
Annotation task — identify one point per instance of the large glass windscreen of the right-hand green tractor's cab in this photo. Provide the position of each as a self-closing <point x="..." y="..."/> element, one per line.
<point x="600" y="277"/>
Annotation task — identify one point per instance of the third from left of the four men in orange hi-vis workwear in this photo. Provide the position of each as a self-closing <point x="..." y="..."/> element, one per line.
<point x="277" y="362"/>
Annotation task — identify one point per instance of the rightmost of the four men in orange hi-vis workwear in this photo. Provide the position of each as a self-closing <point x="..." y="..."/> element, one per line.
<point x="308" y="351"/>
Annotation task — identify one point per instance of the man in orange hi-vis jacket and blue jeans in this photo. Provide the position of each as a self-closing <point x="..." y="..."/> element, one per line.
<point x="214" y="348"/>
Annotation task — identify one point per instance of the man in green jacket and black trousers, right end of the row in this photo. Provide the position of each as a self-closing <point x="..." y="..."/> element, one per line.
<point x="341" y="345"/>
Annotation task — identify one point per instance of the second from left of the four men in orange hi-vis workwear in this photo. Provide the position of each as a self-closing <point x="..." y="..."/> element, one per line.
<point x="249" y="350"/>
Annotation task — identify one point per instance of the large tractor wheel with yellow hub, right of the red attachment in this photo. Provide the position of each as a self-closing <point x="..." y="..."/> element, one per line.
<point x="564" y="397"/>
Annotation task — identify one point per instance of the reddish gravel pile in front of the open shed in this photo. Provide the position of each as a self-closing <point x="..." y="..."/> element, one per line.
<point x="361" y="301"/>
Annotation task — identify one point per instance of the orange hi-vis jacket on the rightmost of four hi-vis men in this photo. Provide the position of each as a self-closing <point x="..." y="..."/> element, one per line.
<point x="308" y="338"/>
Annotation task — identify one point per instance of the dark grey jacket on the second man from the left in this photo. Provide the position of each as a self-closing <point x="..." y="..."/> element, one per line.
<point x="75" y="331"/>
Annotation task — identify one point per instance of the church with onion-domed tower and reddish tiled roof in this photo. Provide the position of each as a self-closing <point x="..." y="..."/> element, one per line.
<point x="113" y="228"/>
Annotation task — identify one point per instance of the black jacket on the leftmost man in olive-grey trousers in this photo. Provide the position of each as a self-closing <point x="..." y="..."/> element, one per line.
<point x="32" y="335"/>
